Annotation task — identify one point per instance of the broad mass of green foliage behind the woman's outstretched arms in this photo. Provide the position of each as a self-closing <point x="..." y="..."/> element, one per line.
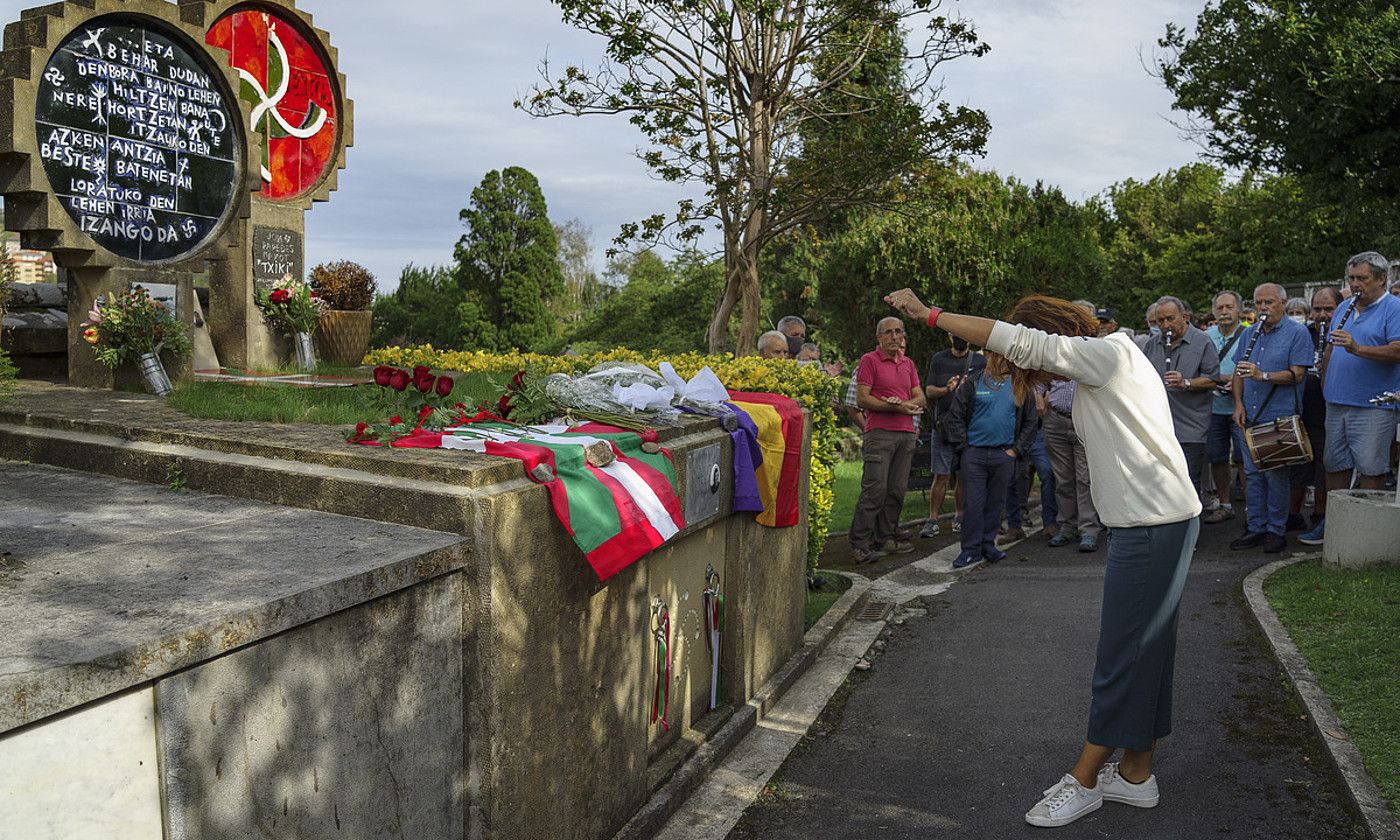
<point x="965" y="240"/>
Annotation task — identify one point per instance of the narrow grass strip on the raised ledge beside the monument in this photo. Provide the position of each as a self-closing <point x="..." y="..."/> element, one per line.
<point x="269" y="404"/>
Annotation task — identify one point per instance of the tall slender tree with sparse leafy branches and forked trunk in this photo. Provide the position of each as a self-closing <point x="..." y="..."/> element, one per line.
<point x="729" y="93"/>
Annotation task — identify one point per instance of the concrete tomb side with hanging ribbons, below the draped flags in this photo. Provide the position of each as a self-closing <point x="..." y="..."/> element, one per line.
<point x="566" y="664"/>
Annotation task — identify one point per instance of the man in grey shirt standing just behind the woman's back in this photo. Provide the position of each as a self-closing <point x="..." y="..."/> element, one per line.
<point x="1191" y="370"/>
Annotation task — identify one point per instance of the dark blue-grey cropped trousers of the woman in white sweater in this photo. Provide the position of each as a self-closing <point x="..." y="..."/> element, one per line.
<point x="1143" y="586"/>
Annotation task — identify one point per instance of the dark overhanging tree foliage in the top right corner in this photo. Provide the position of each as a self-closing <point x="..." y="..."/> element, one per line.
<point x="1307" y="89"/>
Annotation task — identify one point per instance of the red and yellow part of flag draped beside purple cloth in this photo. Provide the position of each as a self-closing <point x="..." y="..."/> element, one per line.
<point x="779" y="421"/>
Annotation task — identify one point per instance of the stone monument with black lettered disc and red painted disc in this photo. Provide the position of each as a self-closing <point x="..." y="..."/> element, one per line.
<point x="134" y="135"/>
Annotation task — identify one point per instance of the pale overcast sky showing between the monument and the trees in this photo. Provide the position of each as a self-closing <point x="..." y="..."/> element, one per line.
<point x="433" y="83"/>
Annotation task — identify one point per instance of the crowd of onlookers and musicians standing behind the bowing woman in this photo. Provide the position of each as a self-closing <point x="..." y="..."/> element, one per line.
<point x="1247" y="383"/>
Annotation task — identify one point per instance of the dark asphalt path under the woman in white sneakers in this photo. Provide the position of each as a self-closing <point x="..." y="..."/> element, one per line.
<point x="972" y="710"/>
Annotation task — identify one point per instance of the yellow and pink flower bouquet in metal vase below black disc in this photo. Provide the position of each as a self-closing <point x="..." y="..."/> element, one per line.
<point x="131" y="327"/>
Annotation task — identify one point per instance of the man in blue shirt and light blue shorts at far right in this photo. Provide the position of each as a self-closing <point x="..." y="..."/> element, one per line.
<point x="1361" y="362"/>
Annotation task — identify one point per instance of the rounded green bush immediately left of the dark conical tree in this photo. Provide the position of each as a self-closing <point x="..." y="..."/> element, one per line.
<point x="423" y="310"/>
